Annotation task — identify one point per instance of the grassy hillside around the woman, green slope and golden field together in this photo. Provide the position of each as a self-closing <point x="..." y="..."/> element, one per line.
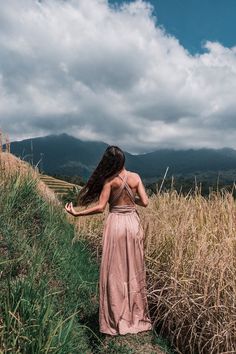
<point x="49" y="273"/>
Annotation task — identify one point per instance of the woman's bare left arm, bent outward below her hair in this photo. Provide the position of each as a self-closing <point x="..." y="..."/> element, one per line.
<point x="99" y="208"/>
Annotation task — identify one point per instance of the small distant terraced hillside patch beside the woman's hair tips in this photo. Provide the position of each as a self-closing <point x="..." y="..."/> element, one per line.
<point x="59" y="187"/>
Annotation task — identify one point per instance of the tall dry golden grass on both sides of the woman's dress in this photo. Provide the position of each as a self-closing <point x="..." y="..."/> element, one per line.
<point x="190" y="247"/>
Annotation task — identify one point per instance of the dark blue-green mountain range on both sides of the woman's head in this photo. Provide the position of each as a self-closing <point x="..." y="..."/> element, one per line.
<point x="64" y="154"/>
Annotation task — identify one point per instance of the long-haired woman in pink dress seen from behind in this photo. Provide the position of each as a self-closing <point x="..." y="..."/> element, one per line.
<point x="122" y="289"/>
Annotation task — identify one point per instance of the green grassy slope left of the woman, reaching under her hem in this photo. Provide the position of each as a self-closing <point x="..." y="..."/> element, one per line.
<point x="48" y="283"/>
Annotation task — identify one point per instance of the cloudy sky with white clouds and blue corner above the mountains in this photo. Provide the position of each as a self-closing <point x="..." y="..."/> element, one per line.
<point x="141" y="75"/>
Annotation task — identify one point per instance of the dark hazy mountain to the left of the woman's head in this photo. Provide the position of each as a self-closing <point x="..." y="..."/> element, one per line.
<point x="61" y="154"/>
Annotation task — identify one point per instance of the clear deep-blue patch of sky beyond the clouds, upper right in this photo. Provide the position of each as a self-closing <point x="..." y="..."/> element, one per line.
<point x="193" y="22"/>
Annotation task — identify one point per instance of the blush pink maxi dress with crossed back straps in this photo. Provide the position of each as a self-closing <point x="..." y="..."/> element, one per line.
<point x="123" y="304"/>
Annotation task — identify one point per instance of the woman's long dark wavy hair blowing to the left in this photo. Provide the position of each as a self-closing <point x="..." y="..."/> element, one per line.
<point x="111" y="163"/>
